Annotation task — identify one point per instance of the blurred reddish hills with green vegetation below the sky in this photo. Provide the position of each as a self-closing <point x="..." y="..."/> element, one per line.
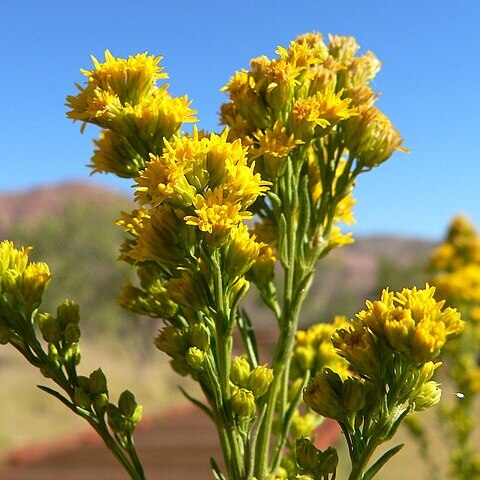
<point x="72" y="227"/>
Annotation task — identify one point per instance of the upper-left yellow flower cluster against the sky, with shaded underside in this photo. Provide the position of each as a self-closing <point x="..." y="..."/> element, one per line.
<point x="122" y="97"/>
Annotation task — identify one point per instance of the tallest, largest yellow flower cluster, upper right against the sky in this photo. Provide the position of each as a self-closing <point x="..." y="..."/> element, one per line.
<point x="282" y="104"/>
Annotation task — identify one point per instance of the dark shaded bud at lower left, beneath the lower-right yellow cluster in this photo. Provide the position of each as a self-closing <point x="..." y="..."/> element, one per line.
<point x="322" y="394"/>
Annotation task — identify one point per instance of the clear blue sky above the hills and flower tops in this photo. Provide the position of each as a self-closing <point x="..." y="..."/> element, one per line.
<point x="430" y="83"/>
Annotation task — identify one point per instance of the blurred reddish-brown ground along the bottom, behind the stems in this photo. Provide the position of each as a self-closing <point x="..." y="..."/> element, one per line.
<point x="178" y="446"/>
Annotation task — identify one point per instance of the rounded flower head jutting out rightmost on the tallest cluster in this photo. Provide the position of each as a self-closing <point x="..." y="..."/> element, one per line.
<point x="371" y="137"/>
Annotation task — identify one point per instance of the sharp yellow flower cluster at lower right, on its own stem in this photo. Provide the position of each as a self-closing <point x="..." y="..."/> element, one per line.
<point x="410" y="323"/>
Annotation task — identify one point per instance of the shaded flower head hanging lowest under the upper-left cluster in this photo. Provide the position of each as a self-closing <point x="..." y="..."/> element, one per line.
<point x="115" y="155"/>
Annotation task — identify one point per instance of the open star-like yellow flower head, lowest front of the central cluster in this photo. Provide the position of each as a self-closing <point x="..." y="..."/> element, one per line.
<point x="216" y="215"/>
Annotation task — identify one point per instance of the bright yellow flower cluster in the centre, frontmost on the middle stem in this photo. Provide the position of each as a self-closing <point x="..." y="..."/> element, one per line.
<point x="208" y="178"/>
